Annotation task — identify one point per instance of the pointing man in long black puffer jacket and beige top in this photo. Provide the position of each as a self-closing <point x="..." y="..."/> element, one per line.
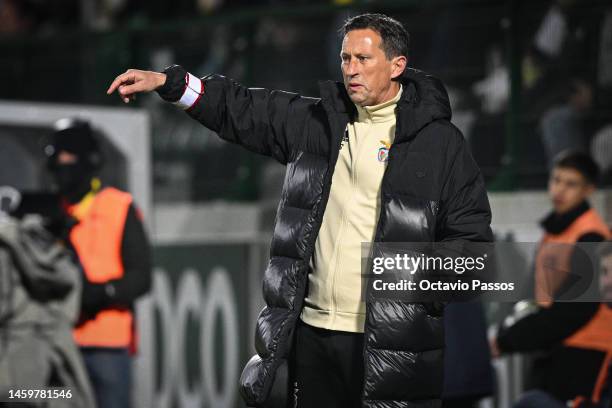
<point x="384" y="119"/>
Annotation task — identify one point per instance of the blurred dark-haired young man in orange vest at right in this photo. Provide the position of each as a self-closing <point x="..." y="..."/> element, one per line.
<point x="576" y="337"/>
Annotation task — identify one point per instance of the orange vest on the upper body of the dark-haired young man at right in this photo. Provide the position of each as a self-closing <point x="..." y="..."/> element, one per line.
<point x="555" y="251"/>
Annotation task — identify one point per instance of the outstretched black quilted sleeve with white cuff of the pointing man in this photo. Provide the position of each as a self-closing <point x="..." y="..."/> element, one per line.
<point x="263" y="121"/>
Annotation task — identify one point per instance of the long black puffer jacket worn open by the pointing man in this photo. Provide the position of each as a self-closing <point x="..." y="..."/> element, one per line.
<point x="431" y="191"/>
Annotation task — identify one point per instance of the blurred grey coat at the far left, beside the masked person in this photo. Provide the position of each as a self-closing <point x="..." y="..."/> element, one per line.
<point x="39" y="303"/>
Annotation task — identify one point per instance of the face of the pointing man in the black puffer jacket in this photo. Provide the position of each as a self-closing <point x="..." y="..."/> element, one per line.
<point x="366" y="71"/>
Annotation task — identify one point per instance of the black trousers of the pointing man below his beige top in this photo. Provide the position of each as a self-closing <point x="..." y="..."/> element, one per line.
<point x="327" y="369"/>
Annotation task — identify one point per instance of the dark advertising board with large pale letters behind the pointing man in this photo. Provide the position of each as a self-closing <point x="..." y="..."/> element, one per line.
<point x="194" y="327"/>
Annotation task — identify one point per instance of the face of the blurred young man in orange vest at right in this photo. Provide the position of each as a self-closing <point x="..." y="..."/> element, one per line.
<point x="568" y="188"/>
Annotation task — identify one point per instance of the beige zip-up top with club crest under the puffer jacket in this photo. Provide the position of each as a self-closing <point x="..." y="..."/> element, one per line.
<point x="334" y="299"/>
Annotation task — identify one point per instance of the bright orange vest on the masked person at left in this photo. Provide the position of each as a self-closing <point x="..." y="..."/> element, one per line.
<point x="97" y="240"/>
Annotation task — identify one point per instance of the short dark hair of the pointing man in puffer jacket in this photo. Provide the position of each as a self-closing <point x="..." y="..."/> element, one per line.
<point x="395" y="38"/>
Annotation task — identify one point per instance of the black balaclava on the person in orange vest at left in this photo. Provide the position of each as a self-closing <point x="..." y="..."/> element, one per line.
<point x="74" y="136"/>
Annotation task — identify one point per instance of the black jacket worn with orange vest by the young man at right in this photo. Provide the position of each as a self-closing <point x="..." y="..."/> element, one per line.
<point x="565" y="371"/>
